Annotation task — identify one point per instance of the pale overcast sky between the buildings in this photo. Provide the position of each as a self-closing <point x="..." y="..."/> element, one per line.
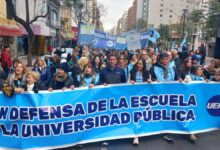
<point x="114" y="11"/>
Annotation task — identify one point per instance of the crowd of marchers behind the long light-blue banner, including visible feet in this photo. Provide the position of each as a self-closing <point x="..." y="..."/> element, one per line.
<point x="88" y="67"/>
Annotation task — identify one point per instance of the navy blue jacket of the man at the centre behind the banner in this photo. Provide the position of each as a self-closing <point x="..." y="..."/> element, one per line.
<point x="117" y="75"/>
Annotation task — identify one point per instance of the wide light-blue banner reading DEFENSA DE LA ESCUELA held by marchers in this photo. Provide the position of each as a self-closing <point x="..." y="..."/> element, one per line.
<point x="61" y="119"/>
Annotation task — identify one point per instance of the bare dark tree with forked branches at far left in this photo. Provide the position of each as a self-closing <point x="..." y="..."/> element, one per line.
<point x="26" y="24"/>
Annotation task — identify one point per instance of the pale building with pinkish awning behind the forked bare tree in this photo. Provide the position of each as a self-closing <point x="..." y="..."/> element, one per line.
<point x="39" y="27"/>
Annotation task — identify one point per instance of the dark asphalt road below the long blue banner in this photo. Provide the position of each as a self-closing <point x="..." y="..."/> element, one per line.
<point x="206" y="141"/>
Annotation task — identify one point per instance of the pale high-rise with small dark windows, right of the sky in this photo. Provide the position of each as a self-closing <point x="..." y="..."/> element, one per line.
<point x="157" y="12"/>
